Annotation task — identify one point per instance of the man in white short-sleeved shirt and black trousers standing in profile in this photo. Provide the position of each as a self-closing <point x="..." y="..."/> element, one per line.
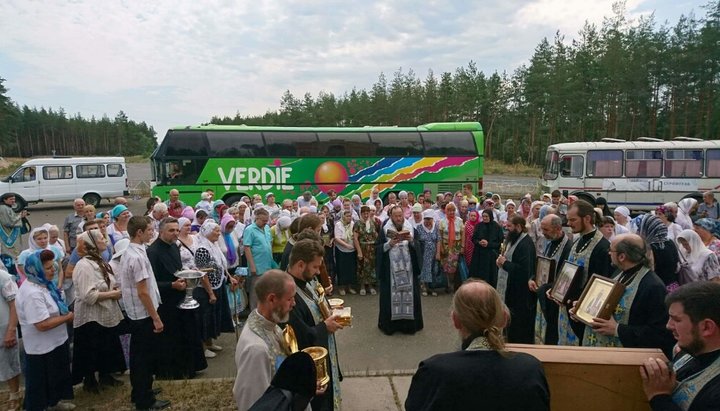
<point x="141" y="297"/>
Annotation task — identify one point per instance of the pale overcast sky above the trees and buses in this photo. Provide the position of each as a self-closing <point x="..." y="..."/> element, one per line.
<point x="180" y="62"/>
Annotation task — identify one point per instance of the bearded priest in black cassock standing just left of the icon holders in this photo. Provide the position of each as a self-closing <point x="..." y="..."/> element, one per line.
<point x="517" y="267"/>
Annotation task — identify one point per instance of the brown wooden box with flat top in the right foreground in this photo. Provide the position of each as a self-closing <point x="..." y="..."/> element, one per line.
<point x="591" y="378"/>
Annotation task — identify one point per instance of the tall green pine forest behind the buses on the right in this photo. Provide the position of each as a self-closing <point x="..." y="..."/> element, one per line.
<point x="623" y="79"/>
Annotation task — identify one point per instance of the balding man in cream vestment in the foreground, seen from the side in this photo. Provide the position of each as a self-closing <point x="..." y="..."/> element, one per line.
<point x="261" y="348"/>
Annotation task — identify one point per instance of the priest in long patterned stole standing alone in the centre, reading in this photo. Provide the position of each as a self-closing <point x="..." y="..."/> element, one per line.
<point x="398" y="277"/>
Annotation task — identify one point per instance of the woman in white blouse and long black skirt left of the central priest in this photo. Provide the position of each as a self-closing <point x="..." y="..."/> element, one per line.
<point x="345" y="253"/>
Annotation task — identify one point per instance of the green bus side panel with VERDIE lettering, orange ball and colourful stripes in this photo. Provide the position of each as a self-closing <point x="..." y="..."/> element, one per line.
<point x="291" y="177"/>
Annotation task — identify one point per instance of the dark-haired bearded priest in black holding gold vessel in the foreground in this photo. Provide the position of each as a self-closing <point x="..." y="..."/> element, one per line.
<point x="310" y="318"/>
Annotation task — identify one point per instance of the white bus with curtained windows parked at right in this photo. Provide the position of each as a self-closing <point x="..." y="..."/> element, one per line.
<point x="640" y="174"/>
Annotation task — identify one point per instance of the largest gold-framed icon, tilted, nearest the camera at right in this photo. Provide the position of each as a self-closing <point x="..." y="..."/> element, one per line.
<point x="599" y="299"/>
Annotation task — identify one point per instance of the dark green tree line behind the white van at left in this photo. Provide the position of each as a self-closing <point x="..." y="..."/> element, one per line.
<point x="27" y="132"/>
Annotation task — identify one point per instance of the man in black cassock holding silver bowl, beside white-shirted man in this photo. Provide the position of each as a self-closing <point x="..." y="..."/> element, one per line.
<point x="181" y="351"/>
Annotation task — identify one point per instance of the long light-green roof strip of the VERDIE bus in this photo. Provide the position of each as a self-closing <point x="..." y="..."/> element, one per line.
<point x="460" y="126"/>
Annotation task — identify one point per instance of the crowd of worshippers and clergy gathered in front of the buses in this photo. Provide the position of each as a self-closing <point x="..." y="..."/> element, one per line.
<point x="103" y="296"/>
